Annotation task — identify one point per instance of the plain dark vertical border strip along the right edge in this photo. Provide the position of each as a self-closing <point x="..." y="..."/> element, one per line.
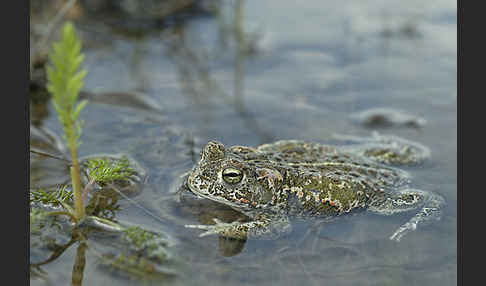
<point x="470" y="188"/>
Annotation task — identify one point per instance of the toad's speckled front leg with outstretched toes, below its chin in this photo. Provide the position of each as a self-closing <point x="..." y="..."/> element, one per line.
<point x="262" y="226"/>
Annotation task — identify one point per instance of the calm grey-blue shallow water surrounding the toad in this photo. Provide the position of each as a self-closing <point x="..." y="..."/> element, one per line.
<point x="306" y="68"/>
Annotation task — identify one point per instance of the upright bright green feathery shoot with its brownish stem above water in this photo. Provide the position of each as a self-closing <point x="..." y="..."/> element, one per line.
<point x="65" y="80"/>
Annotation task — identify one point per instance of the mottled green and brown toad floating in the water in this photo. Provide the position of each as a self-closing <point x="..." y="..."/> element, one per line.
<point x="293" y="178"/>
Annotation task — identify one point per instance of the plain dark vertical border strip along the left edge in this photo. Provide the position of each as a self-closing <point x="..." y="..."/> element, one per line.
<point x="15" y="188"/>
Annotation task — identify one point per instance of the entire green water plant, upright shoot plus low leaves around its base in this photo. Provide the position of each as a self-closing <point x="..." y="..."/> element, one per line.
<point x="144" y="251"/>
